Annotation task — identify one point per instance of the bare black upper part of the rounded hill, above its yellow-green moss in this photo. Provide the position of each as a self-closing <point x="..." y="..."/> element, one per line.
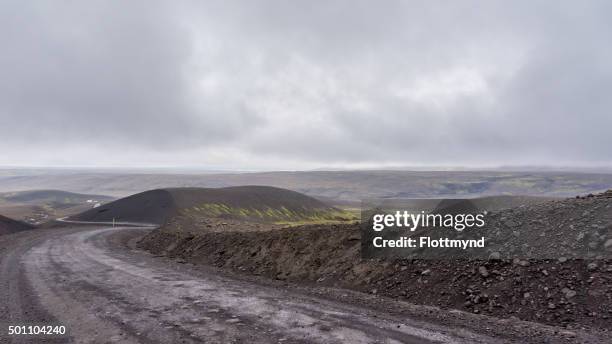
<point x="157" y="206"/>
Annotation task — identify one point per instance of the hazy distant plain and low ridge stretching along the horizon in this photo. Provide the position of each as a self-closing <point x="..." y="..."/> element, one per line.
<point x="340" y="186"/>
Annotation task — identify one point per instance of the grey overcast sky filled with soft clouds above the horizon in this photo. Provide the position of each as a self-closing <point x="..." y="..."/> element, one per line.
<point x="305" y="84"/>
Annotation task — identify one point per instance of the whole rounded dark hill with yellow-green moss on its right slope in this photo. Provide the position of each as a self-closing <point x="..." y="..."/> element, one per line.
<point x="194" y="205"/>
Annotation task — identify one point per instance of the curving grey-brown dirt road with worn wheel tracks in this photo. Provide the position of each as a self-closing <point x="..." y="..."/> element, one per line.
<point x="92" y="280"/>
